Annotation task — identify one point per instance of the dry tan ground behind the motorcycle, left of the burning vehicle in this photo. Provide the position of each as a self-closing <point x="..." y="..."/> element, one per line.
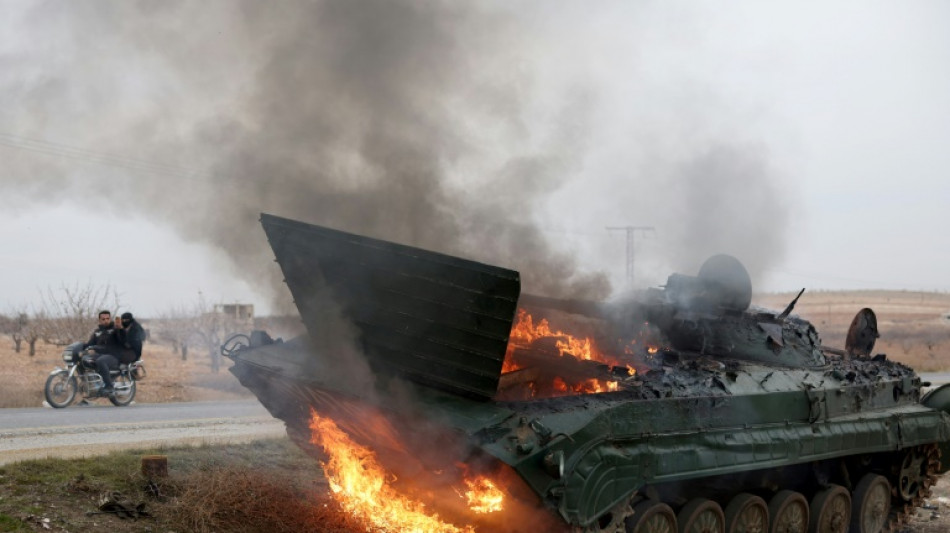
<point x="169" y="378"/>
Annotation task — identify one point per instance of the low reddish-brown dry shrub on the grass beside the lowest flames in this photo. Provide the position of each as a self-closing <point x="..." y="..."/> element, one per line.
<point x="227" y="499"/>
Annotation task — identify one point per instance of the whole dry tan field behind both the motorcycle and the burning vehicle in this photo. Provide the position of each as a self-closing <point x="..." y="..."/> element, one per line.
<point x="913" y="326"/>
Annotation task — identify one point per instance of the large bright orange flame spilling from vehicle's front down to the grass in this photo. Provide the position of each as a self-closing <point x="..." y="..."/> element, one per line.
<point x="362" y="487"/>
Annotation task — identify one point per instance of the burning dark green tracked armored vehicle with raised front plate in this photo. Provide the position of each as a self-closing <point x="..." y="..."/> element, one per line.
<point x="681" y="408"/>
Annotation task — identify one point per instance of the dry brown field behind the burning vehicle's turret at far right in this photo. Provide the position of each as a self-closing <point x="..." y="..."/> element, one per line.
<point x="914" y="326"/>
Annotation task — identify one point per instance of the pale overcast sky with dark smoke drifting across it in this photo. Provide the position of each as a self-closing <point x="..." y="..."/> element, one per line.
<point x="140" y="140"/>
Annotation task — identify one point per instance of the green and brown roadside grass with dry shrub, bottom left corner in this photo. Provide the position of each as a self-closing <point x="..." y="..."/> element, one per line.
<point x="263" y="486"/>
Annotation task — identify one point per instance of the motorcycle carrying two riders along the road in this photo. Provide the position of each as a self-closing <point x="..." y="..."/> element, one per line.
<point x="80" y="377"/>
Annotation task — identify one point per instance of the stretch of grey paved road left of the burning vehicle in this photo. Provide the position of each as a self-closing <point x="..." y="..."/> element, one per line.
<point x="80" y="431"/>
